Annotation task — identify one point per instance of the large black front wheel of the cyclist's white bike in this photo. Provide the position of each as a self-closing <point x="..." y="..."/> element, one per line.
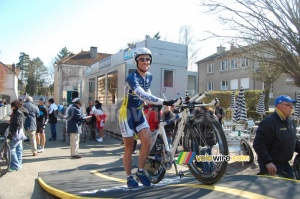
<point x="194" y="141"/>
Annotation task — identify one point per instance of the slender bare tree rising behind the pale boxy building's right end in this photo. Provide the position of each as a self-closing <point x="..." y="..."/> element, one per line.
<point x="186" y="38"/>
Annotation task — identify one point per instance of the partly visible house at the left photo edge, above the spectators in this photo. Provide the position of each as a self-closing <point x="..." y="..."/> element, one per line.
<point x="9" y="82"/>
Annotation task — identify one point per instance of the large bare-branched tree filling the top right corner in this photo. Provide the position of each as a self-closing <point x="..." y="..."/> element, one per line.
<point x="271" y="27"/>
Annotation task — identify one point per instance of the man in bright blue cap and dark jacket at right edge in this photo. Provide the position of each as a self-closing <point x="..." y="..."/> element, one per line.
<point x="275" y="141"/>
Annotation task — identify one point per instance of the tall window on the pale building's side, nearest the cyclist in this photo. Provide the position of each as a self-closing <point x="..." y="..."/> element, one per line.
<point x="112" y="87"/>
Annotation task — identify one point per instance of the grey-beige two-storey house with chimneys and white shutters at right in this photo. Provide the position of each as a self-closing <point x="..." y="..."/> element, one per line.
<point x="228" y="70"/>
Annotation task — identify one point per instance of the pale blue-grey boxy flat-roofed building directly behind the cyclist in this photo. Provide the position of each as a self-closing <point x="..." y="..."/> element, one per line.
<point x="105" y="79"/>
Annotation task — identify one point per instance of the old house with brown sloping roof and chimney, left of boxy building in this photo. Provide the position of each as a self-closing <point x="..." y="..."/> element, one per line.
<point x="69" y="74"/>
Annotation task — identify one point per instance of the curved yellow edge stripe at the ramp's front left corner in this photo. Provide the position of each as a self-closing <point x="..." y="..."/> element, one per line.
<point x="60" y="193"/>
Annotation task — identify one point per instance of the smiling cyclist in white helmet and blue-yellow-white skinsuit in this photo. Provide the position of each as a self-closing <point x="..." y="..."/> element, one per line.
<point x="131" y="117"/>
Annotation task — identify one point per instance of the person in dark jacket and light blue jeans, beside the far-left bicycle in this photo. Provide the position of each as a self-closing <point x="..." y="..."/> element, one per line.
<point x="16" y="136"/>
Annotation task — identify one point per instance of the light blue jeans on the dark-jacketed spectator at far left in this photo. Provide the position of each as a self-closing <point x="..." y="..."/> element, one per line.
<point x="16" y="150"/>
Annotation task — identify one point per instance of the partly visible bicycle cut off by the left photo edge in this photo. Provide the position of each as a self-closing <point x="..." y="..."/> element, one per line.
<point x="5" y="150"/>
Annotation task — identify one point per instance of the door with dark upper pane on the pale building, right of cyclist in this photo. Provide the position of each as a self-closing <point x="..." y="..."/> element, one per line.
<point x="168" y="84"/>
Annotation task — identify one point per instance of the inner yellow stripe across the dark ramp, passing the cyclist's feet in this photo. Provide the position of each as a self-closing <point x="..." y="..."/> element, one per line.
<point x="228" y="190"/>
